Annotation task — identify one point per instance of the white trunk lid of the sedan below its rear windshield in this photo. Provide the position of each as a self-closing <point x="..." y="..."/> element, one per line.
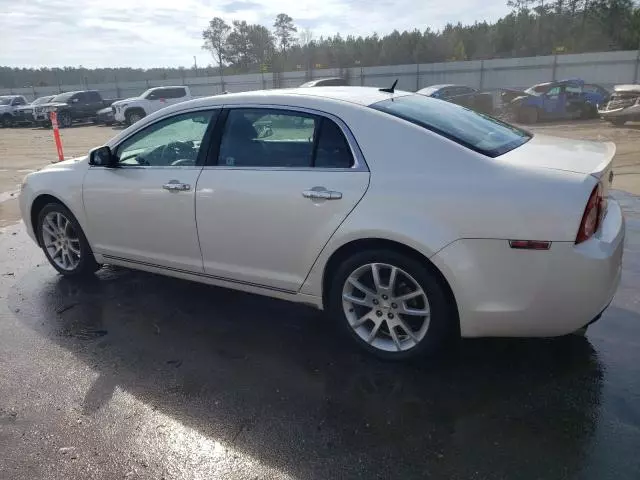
<point x="544" y="151"/>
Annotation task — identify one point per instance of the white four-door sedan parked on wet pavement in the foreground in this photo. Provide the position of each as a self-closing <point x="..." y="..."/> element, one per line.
<point x="408" y="219"/>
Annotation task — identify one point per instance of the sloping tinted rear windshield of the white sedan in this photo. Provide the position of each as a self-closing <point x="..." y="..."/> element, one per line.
<point x="476" y="131"/>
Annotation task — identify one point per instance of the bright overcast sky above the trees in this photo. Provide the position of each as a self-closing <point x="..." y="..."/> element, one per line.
<point x="155" y="33"/>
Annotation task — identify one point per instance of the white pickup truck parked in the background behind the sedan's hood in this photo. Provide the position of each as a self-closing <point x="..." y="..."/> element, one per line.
<point x="132" y="110"/>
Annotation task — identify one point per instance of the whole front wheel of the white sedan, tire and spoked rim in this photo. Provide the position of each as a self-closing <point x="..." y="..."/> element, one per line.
<point x="64" y="243"/>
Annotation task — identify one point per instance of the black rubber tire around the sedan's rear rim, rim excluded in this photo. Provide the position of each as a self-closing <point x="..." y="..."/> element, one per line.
<point x="443" y="321"/>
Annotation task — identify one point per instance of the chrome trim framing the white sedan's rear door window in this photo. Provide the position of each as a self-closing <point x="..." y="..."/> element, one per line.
<point x="359" y="163"/>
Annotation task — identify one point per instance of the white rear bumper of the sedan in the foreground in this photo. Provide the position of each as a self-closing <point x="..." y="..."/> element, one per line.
<point x="504" y="292"/>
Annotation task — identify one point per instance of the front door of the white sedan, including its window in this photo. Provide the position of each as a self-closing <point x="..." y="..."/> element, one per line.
<point x="143" y="211"/>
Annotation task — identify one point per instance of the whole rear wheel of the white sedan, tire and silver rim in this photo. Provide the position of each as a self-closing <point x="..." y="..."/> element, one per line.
<point x="392" y="305"/>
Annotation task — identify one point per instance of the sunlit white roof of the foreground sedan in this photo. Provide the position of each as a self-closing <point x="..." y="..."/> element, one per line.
<point x="364" y="96"/>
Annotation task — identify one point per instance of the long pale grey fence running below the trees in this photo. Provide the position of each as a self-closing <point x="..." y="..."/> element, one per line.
<point x="604" y="68"/>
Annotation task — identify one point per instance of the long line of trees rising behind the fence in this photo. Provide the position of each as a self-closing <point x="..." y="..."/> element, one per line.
<point x="533" y="27"/>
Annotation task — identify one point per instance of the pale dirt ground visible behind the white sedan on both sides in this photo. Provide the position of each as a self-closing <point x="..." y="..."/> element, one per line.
<point x="23" y="150"/>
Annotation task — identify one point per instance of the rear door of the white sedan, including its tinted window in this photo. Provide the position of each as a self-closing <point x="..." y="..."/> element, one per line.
<point x="282" y="182"/>
